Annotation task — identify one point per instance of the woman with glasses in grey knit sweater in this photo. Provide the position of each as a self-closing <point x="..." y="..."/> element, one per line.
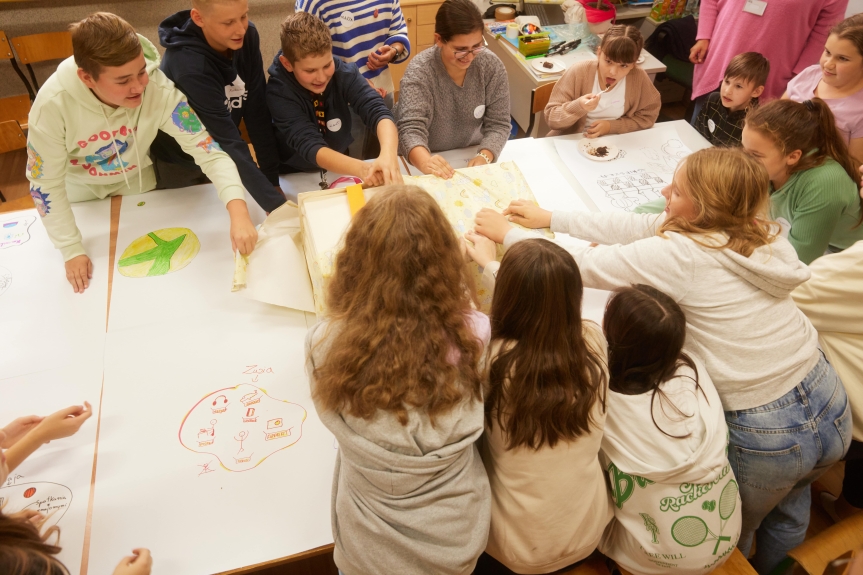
<point x="453" y="95"/>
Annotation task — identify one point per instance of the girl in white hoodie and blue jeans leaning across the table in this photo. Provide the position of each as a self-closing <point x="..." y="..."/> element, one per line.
<point x="715" y="253"/>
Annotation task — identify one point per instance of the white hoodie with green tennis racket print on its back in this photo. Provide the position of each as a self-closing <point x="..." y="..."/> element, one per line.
<point x="676" y="502"/>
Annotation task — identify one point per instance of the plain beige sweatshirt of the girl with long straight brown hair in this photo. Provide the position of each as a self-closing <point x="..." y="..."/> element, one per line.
<point x="549" y="507"/>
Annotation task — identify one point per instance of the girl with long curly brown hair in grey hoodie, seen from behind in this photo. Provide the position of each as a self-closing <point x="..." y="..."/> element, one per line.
<point x="394" y="371"/>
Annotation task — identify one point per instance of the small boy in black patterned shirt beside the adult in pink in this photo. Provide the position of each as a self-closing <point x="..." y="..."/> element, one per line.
<point x="721" y="119"/>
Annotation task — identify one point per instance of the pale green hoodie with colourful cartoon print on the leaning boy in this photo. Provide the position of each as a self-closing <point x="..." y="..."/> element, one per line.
<point x="80" y="149"/>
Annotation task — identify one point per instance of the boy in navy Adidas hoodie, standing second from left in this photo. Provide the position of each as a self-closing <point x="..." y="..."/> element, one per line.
<point x="213" y="56"/>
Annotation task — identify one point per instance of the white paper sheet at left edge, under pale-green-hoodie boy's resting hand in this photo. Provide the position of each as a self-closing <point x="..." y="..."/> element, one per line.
<point x="43" y="323"/>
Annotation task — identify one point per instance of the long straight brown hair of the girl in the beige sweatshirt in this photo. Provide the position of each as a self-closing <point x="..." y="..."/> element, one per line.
<point x="547" y="379"/>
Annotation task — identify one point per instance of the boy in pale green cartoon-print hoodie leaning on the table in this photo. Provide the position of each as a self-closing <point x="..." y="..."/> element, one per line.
<point x="90" y="129"/>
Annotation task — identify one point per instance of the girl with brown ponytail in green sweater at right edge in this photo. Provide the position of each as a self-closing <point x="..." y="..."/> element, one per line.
<point x="813" y="179"/>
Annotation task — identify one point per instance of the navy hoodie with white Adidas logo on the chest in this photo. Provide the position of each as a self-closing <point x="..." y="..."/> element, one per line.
<point x="224" y="91"/>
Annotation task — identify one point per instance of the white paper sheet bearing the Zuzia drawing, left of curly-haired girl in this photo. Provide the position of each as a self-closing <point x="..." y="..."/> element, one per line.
<point x="195" y="515"/>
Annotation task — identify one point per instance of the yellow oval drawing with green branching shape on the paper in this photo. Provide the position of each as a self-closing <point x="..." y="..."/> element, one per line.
<point x="158" y="253"/>
